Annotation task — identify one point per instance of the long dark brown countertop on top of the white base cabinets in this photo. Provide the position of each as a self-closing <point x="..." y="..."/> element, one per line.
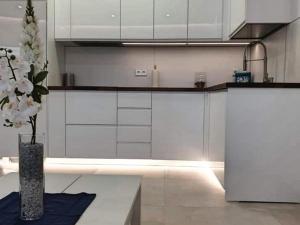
<point x="219" y="87"/>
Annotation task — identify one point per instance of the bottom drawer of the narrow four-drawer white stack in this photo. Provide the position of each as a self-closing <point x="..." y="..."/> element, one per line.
<point x="134" y="151"/>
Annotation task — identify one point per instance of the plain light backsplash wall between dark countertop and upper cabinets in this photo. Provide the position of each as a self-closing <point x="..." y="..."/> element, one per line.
<point x="177" y="65"/>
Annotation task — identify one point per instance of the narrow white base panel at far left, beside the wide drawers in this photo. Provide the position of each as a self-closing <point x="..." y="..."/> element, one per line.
<point x="56" y="124"/>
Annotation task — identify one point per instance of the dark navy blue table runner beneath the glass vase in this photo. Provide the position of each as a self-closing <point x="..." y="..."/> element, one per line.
<point x="60" y="209"/>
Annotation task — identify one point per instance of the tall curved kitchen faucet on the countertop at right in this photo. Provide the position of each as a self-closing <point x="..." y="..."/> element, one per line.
<point x="266" y="78"/>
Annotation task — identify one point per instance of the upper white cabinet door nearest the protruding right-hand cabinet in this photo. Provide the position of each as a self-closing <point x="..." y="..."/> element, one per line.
<point x="205" y="19"/>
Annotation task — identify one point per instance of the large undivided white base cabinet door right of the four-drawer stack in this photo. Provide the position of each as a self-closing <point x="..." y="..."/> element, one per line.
<point x="177" y="126"/>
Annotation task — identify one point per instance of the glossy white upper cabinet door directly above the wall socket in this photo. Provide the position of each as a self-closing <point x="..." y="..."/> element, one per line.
<point x="137" y="19"/>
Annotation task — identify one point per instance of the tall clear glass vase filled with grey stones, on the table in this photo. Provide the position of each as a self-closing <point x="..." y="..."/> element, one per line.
<point x="31" y="175"/>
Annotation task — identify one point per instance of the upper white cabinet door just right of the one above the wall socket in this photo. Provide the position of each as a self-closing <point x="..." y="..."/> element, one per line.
<point x="170" y="20"/>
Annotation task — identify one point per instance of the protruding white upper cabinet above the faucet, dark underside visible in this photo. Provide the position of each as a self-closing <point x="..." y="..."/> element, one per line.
<point x="258" y="18"/>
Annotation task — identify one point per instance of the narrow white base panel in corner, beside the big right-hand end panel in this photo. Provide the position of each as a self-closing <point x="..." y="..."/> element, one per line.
<point x="217" y="117"/>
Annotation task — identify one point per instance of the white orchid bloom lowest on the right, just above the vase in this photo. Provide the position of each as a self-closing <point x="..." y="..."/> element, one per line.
<point x="28" y="107"/>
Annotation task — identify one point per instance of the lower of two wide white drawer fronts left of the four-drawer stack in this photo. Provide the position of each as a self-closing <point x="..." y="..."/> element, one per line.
<point x="91" y="141"/>
